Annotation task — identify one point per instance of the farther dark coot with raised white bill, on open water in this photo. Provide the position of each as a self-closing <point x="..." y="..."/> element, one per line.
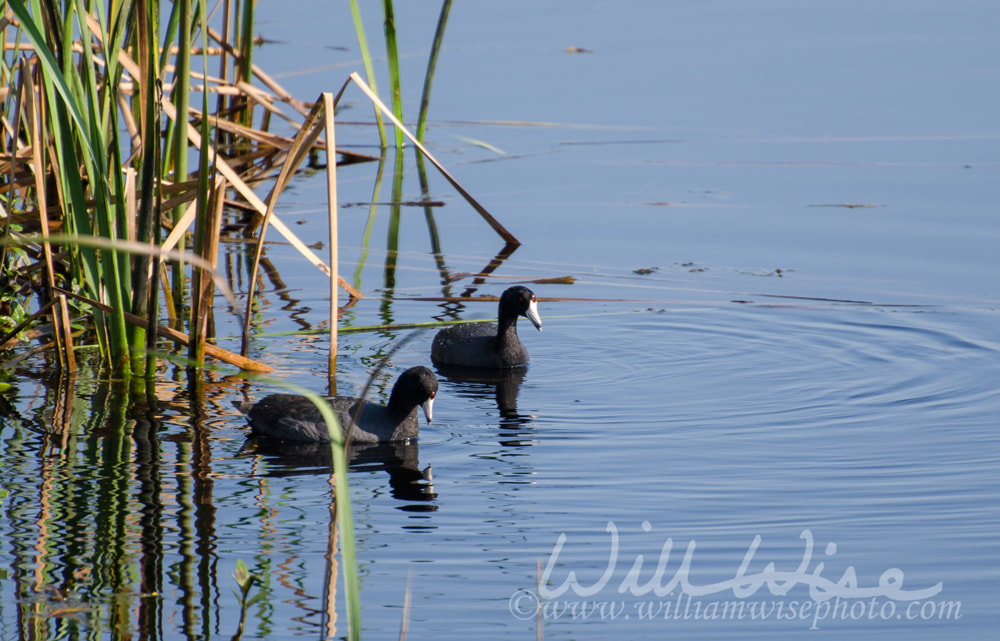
<point x="486" y="344"/>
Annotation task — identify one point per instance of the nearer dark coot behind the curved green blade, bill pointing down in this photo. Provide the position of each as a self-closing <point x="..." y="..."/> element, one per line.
<point x="294" y="418"/>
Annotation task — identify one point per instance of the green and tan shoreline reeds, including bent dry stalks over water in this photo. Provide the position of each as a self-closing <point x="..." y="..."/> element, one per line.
<point x="106" y="163"/>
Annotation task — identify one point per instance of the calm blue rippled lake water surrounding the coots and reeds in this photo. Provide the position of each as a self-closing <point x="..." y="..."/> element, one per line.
<point x="785" y="426"/>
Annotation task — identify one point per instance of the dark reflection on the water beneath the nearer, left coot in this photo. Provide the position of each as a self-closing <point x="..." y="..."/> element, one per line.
<point x="400" y="460"/>
